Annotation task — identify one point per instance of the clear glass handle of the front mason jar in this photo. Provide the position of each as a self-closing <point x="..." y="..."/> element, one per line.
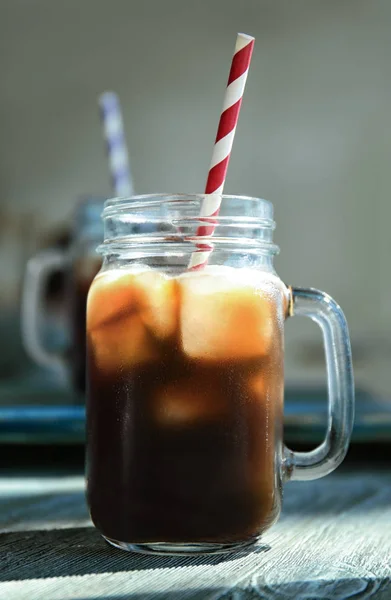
<point x="322" y="309"/>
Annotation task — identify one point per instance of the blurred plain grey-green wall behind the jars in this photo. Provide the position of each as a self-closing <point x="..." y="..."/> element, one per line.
<point x="314" y="135"/>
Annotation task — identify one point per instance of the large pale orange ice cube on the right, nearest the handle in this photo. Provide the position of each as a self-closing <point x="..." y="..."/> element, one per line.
<point x="227" y="315"/>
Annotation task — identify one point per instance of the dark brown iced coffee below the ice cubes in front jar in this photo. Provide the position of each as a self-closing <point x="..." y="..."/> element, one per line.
<point x="183" y="450"/>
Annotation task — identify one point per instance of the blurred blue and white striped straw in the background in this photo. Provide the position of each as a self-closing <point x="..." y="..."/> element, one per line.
<point x="117" y="151"/>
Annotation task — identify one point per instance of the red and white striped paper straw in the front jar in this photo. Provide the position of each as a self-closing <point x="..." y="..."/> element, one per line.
<point x="223" y="145"/>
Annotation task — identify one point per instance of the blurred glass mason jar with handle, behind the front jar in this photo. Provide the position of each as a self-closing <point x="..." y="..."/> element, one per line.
<point x="79" y="263"/>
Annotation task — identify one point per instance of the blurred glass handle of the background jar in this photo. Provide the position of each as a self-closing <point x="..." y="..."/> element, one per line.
<point x="38" y="270"/>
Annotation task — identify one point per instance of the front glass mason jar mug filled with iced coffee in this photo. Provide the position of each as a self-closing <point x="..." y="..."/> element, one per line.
<point x="186" y="378"/>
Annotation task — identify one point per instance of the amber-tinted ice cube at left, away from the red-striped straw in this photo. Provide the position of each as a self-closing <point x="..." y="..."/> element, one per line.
<point x="128" y="314"/>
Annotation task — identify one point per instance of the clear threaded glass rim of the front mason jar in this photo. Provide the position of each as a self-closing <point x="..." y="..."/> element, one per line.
<point x="176" y="218"/>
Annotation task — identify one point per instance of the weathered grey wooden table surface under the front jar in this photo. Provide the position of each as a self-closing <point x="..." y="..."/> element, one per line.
<point x="333" y="541"/>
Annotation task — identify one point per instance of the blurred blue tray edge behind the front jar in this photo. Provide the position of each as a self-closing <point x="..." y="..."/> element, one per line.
<point x="53" y="416"/>
